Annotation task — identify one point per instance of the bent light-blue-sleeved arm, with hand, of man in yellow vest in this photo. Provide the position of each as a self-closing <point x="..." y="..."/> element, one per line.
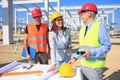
<point x="103" y="49"/>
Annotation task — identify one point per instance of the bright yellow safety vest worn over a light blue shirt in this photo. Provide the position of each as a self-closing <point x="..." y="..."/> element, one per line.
<point x="91" y="39"/>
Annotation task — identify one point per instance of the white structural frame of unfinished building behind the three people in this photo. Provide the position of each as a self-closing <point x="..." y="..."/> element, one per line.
<point x="11" y="9"/>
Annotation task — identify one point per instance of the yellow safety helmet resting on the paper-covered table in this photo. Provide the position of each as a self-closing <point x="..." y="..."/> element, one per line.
<point x="66" y="70"/>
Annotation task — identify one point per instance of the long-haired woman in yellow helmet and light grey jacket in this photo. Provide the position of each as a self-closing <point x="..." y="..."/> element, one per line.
<point x="59" y="40"/>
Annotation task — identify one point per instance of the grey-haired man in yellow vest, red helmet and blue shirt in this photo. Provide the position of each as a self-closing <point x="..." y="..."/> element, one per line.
<point x="94" y="42"/>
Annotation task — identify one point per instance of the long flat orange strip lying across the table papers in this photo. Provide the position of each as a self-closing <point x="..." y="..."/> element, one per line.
<point x="21" y="73"/>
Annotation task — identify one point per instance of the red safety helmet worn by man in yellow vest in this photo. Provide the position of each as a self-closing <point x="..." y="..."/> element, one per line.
<point x="88" y="7"/>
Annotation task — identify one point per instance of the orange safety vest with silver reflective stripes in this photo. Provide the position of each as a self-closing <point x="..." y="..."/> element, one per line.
<point x="37" y="39"/>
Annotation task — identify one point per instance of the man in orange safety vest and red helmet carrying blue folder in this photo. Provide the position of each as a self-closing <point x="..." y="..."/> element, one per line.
<point x="37" y="37"/>
